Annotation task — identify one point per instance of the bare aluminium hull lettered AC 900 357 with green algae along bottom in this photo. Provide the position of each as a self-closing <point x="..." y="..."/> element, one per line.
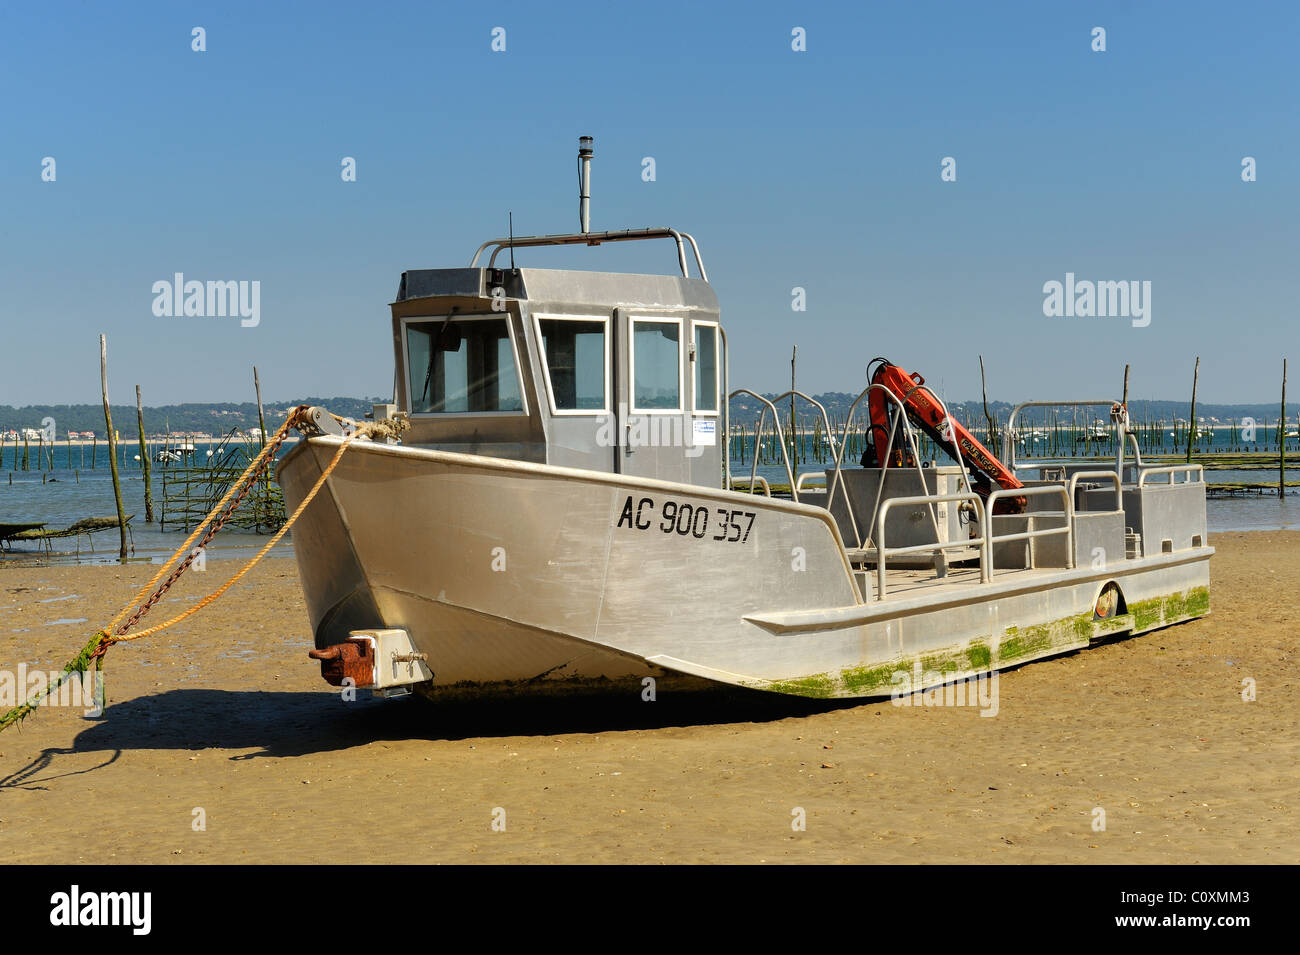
<point x="518" y="575"/>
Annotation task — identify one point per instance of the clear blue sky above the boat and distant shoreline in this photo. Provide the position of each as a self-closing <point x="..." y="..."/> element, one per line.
<point x="818" y="170"/>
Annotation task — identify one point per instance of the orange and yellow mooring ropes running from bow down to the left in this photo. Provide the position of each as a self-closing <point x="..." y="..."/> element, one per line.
<point x="118" y="630"/>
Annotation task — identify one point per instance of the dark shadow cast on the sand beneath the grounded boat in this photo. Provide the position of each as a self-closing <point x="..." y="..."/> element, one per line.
<point x="298" y="724"/>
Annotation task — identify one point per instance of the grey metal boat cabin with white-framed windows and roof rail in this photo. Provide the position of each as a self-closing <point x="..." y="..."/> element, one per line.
<point x="609" y="372"/>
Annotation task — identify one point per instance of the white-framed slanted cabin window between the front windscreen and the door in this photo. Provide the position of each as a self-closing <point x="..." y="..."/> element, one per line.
<point x="575" y="357"/>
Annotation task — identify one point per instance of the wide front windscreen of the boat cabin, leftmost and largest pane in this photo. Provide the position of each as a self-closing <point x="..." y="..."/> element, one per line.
<point x="463" y="366"/>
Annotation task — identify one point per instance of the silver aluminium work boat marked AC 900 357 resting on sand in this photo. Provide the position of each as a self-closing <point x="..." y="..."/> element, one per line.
<point x="560" y="513"/>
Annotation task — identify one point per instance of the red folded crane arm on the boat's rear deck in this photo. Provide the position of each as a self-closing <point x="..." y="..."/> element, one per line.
<point x="928" y="414"/>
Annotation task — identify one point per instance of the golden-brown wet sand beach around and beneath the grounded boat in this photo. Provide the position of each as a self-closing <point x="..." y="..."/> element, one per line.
<point x="226" y="714"/>
